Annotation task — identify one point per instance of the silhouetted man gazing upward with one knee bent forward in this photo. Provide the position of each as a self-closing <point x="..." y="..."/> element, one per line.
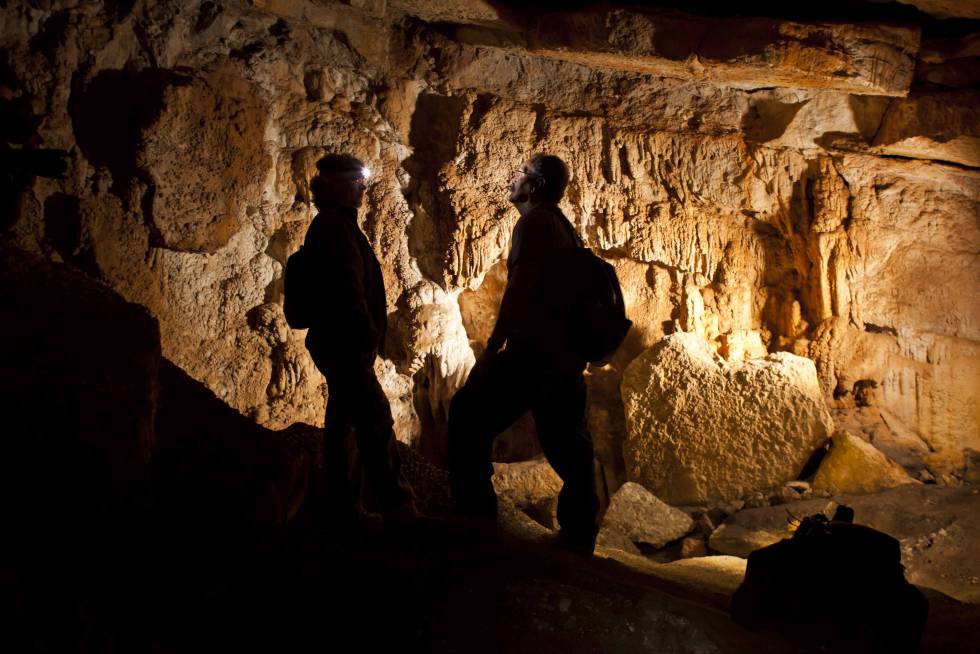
<point x="528" y="365"/>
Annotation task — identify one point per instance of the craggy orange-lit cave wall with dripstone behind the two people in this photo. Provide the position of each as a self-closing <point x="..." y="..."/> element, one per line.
<point x="810" y="187"/>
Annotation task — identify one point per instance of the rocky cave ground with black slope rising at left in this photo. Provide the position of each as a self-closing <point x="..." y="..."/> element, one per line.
<point x="179" y="525"/>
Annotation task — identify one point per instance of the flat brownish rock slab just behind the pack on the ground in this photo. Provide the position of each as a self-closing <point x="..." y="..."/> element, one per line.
<point x="938" y="529"/>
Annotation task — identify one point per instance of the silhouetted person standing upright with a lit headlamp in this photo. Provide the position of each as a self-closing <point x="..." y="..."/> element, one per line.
<point x="346" y="337"/>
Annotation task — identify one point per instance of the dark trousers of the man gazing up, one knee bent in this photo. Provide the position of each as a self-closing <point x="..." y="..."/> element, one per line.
<point x="514" y="382"/>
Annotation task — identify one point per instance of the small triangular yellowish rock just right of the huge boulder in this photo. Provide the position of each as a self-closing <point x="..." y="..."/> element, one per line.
<point x="855" y="466"/>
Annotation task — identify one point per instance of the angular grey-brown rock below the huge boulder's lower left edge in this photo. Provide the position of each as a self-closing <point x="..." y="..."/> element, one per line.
<point x="637" y="514"/>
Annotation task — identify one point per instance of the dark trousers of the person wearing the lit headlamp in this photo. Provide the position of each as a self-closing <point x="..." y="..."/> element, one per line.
<point x="357" y="403"/>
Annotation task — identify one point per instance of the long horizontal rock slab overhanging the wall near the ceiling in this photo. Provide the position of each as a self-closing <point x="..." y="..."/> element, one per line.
<point x="748" y="52"/>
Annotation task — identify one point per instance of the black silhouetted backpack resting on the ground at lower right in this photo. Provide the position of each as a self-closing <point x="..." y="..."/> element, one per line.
<point x="834" y="584"/>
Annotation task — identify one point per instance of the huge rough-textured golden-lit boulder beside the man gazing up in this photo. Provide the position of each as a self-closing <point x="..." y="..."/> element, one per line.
<point x="702" y="429"/>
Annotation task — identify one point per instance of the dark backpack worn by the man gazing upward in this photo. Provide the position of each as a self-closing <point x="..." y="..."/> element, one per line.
<point x="589" y="301"/>
